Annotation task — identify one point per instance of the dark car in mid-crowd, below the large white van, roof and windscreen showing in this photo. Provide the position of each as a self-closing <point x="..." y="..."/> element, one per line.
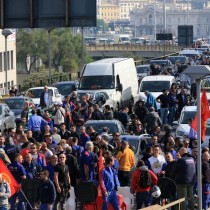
<point x="112" y="125"/>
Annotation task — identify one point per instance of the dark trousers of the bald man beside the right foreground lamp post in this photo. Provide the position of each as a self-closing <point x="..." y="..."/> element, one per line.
<point x="186" y="191"/>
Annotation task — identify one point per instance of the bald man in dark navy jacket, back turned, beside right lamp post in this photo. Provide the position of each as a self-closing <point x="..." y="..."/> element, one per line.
<point x="185" y="177"/>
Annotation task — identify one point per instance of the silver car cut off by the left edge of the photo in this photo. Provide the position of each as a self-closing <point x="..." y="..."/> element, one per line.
<point x="7" y="117"/>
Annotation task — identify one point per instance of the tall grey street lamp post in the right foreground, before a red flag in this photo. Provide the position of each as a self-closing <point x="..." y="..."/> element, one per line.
<point x="197" y="73"/>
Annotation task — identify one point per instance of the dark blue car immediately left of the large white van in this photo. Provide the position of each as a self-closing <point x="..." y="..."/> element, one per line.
<point x="66" y="88"/>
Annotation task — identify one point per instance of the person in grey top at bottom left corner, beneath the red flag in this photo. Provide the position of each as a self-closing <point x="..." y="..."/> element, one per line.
<point x="5" y="193"/>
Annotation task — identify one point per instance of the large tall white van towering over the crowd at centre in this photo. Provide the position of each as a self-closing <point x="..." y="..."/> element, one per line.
<point x="115" y="76"/>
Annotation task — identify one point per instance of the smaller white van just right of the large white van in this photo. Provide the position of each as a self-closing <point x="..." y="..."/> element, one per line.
<point x="155" y="85"/>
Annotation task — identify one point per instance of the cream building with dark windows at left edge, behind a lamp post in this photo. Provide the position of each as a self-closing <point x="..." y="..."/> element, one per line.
<point x="11" y="65"/>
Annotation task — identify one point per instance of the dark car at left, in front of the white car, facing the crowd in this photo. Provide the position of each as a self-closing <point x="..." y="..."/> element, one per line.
<point x="16" y="104"/>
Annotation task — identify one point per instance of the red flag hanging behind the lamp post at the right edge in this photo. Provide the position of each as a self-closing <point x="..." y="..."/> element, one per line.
<point x="204" y="115"/>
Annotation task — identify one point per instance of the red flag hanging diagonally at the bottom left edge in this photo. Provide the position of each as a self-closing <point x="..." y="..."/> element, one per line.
<point x="6" y="174"/>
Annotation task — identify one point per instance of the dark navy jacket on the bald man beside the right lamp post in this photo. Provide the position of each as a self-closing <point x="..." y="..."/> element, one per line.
<point x="184" y="170"/>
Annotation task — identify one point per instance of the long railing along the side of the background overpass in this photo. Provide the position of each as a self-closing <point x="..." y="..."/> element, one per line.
<point x="119" y="47"/>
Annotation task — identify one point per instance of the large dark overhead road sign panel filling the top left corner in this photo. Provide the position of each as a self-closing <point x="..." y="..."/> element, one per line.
<point x="47" y="13"/>
